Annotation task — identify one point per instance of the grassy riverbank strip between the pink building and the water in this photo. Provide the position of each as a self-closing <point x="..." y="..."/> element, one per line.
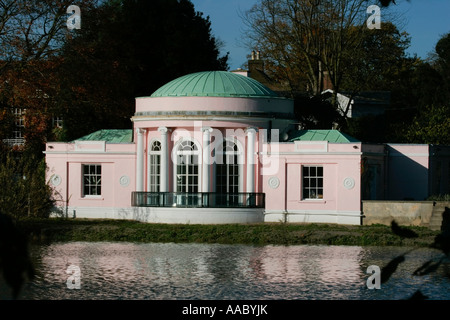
<point x="56" y="229"/>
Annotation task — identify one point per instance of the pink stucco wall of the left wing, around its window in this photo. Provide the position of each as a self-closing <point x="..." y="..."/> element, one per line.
<point x="118" y="168"/>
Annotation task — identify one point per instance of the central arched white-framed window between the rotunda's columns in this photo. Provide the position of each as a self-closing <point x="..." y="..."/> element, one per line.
<point x="187" y="167"/>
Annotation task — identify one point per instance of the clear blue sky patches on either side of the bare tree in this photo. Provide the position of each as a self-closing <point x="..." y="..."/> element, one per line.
<point x="425" y="21"/>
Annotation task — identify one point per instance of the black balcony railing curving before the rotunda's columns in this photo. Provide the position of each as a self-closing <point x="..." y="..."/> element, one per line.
<point x="198" y="200"/>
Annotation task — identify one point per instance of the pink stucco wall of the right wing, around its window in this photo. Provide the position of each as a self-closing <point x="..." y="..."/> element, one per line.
<point x="341" y="179"/>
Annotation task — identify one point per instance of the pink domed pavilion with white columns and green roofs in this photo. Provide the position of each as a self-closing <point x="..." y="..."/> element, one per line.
<point x="215" y="147"/>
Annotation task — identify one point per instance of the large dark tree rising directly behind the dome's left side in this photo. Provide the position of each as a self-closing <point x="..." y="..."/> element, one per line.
<point x="127" y="49"/>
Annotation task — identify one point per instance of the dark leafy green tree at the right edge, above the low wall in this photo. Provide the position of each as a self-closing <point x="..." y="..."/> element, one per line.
<point x="420" y="111"/>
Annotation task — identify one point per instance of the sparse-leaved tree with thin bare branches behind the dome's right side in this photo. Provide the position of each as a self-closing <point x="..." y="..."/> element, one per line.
<point x="305" y="40"/>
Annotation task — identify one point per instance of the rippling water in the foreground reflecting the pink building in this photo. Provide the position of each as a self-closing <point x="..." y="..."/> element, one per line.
<point x="109" y="270"/>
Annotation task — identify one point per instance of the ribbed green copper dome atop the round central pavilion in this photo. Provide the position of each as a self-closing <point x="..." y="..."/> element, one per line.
<point x="214" y="84"/>
